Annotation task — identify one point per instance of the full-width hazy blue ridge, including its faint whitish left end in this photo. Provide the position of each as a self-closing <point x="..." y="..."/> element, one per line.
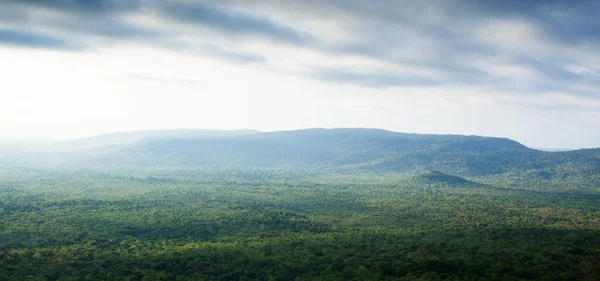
<point x="349" y="149"/>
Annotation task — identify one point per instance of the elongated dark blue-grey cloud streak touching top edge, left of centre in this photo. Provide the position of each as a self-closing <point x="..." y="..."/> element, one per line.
<point x="232" y="22"/>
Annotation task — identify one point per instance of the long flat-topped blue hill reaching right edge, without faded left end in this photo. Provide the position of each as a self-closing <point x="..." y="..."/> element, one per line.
<point x="369" y="149"/>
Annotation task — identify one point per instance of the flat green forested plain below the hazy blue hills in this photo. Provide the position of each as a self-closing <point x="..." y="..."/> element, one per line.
<point x="193" y="224"/>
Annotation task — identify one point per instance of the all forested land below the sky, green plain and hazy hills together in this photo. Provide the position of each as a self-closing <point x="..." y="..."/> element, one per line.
<point x="352" y="204"/>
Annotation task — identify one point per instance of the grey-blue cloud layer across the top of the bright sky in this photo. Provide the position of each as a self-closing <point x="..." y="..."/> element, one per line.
<point x="500" y="44"/>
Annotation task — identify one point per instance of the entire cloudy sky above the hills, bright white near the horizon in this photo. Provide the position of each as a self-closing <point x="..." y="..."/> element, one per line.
<point x="526" y="70"/>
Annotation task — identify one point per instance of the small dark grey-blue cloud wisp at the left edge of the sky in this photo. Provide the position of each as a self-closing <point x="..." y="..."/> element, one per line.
<point x="32" y="39"/>
